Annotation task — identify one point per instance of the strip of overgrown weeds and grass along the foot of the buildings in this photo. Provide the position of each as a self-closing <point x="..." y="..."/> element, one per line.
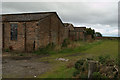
<point x="76" y="46"/>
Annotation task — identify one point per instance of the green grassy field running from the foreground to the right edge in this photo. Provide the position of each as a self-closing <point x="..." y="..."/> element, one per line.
<point x="85" y="50"/>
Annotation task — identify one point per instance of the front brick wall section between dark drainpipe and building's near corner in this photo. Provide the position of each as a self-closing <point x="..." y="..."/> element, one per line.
<point x="30" y="35"/>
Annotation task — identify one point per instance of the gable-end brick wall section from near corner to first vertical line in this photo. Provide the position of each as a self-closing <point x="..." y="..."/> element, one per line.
<point x="43" y="32"/>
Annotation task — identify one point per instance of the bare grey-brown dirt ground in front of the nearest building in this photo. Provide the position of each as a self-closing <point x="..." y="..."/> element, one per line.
<point x="22" y="66"/>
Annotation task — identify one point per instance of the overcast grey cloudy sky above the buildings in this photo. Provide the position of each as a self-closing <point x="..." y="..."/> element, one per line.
<point x="101" y="16"/>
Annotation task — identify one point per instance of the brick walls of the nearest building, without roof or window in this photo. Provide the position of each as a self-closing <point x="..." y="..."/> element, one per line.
<point x="34" y="34"/>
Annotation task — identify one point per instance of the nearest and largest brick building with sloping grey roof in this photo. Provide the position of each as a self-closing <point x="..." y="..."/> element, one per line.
<point x="29" y="31"/>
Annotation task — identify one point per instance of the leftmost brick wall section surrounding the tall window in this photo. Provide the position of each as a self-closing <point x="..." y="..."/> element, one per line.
<point x="15" y="44"/>
